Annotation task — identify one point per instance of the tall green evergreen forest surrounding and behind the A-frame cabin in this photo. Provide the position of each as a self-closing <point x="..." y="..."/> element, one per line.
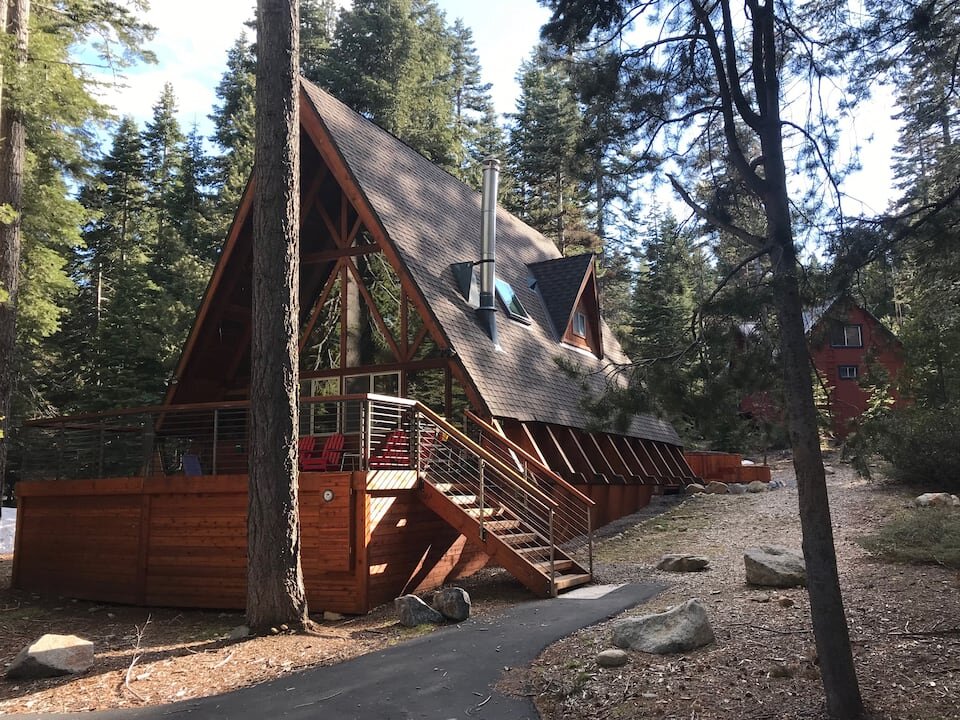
<point x="122" y="223"/>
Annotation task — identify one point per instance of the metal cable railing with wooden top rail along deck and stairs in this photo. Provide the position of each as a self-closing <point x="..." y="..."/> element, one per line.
<point x="505" y="490"/>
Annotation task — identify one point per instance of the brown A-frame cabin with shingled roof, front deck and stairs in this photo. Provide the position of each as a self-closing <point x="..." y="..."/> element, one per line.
<point x="436" y="439"/>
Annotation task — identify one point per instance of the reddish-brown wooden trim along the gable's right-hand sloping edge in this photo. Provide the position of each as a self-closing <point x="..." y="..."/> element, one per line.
<point x="316" y="130"/>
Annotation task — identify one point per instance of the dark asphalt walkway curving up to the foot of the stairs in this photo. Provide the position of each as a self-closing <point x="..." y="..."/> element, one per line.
<point x="441" y="676"/>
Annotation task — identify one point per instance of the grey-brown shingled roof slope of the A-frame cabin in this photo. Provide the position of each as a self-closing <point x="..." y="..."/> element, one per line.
<point x="433" y="220"/>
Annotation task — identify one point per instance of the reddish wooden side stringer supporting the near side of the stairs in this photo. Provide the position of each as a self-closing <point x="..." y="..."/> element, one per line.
<point x="506" y="555"/>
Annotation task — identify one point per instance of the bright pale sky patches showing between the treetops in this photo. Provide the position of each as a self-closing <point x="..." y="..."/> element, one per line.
<point x="192" y="56"/>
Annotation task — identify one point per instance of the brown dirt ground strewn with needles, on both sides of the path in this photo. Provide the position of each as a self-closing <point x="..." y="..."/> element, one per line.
<point x="904" y="622"/>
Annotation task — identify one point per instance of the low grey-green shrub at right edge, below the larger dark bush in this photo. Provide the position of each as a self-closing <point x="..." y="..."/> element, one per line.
<point x="920" y="535"/>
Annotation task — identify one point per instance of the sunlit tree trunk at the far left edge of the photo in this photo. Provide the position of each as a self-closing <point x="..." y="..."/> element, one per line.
<point x="13" y="149"/>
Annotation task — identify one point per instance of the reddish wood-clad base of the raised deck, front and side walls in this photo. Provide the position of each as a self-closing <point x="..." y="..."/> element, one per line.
<point x="181" y="542"/>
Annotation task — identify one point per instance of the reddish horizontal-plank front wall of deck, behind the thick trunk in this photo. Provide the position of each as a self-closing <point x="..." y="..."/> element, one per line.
<point x="177" y="541"/>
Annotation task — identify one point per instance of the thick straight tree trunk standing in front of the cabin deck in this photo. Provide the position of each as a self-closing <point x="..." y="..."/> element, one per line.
<point x="275" y="591"/>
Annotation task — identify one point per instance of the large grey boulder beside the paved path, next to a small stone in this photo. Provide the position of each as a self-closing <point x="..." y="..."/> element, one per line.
<point x="681" y="628"/>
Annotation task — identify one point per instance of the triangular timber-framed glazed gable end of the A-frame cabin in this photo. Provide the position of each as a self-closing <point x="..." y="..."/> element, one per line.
<point x="214" y="364"/>
